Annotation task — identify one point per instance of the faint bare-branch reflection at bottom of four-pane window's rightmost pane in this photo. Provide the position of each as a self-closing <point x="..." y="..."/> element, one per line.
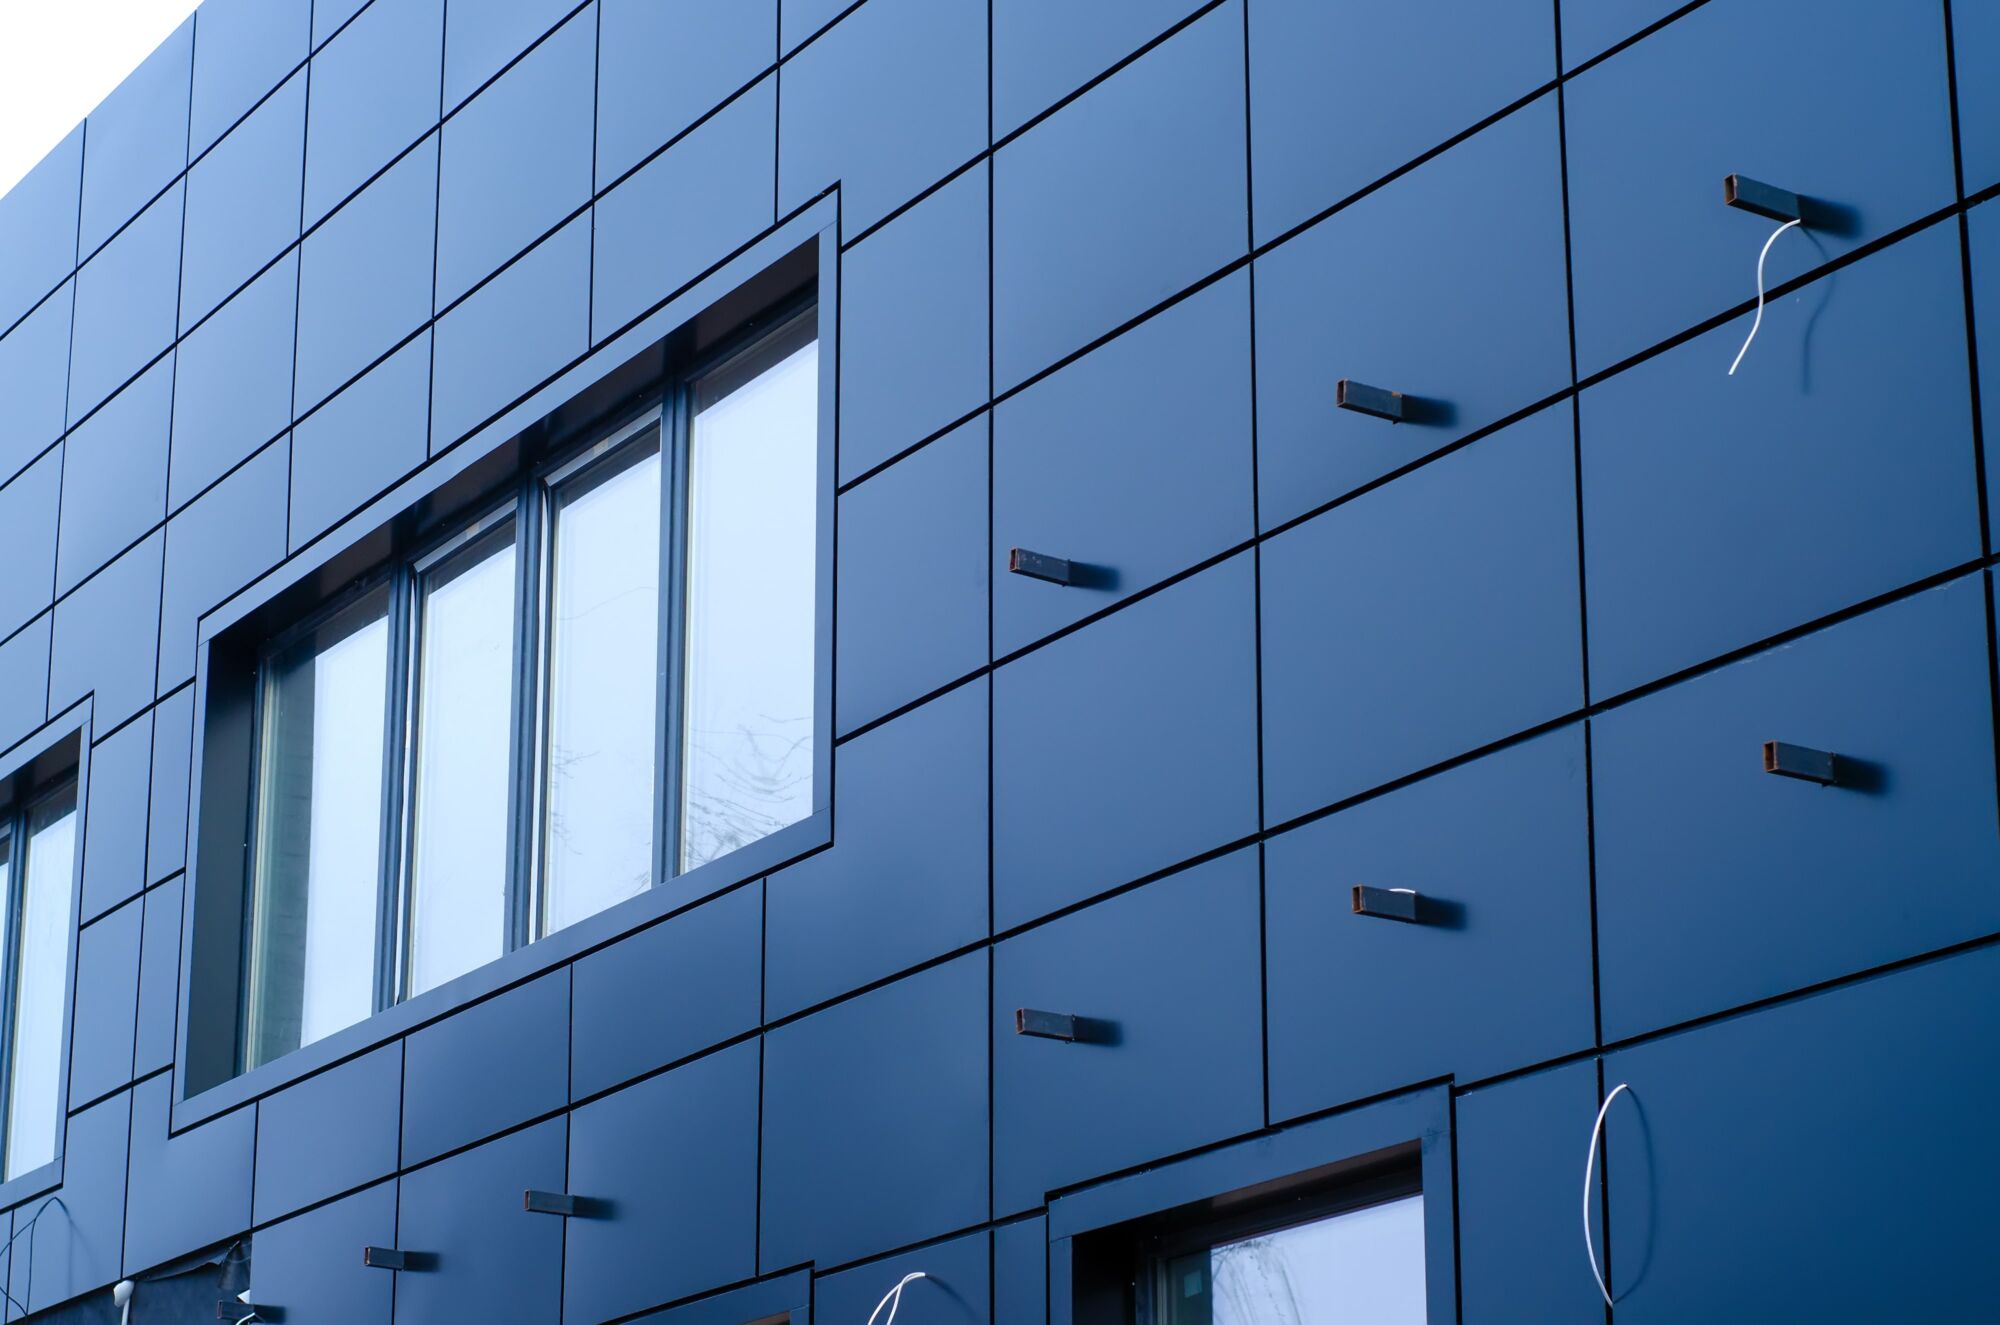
<point x="745" y="784"/>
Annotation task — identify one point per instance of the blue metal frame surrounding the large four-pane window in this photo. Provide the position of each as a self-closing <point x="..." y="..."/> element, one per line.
<point x="549" y="435"/>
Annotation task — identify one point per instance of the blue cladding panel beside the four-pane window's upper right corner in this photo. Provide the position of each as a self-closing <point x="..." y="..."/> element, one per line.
<point x="913" y="325"/>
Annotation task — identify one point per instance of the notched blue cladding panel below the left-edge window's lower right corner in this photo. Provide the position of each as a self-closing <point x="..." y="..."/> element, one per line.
<point x="75" y="1242"/>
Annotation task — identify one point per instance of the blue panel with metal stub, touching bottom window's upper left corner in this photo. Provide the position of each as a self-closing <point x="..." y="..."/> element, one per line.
<point x="1169" y="980"/>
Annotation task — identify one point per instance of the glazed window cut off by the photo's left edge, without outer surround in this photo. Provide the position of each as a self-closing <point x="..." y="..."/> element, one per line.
<point x="37" y="870"/>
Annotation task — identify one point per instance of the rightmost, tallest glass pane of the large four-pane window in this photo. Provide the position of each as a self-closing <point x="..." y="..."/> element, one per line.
<point x="753" y="471"/>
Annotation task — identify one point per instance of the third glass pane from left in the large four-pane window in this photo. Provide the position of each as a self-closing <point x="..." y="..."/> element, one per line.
<point x="603" y="684"/>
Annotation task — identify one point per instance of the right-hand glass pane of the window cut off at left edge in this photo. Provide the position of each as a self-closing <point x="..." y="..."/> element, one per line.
<point x="41" y="984"/>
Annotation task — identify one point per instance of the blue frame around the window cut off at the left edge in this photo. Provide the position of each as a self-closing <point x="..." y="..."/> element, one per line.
<point x="49" y="762"/>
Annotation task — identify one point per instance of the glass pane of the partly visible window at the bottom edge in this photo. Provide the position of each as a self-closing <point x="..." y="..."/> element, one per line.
<point x="1363" y="1268"/>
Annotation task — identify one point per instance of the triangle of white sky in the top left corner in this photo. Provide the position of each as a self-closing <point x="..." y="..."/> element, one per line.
<point x="59" y="59"/>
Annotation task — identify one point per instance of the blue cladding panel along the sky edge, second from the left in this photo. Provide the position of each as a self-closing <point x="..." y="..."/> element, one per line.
<point x="137" y="141"/>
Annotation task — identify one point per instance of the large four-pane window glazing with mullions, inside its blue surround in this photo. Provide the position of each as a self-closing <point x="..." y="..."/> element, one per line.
<point x="605" y="680"/>
